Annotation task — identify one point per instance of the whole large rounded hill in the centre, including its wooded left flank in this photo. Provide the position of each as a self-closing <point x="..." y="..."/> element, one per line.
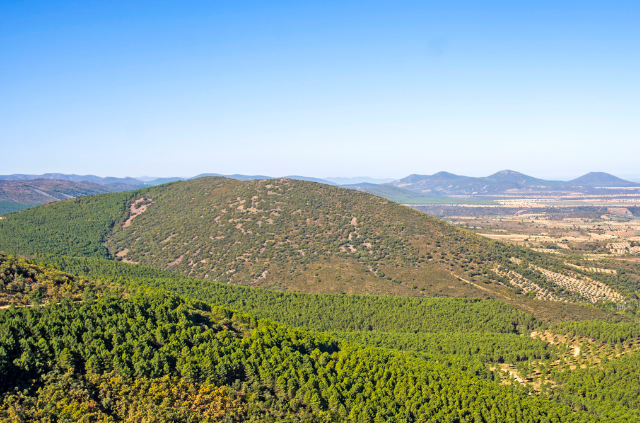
<point x="302" y="236"/>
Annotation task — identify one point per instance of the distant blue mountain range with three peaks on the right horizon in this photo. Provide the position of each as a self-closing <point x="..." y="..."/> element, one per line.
<point x="444" y="183"/>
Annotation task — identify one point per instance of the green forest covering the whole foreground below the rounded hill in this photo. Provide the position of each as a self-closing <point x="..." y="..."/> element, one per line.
<point x="110" y="344"/>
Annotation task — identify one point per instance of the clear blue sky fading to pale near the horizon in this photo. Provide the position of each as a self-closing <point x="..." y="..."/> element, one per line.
<point x="323" y="89"/>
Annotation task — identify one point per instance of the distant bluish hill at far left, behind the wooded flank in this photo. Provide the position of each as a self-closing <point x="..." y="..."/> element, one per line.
<point x="21" y="194"/>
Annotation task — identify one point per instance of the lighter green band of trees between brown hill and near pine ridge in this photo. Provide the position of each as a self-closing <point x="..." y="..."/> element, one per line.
<point x="320" y="312"/>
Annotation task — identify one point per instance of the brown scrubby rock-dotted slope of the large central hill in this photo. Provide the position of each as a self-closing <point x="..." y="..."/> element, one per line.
<point x="287" y="234"/>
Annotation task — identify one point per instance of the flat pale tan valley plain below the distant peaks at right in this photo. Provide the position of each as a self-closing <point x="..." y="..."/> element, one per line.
<point x="596" y="227"/>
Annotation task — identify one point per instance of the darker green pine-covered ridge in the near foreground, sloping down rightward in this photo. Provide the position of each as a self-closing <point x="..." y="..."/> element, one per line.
<point x="112" y="345"/>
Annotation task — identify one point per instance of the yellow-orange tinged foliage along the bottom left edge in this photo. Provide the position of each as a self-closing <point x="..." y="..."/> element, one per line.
<point x="110" y="397"/>
